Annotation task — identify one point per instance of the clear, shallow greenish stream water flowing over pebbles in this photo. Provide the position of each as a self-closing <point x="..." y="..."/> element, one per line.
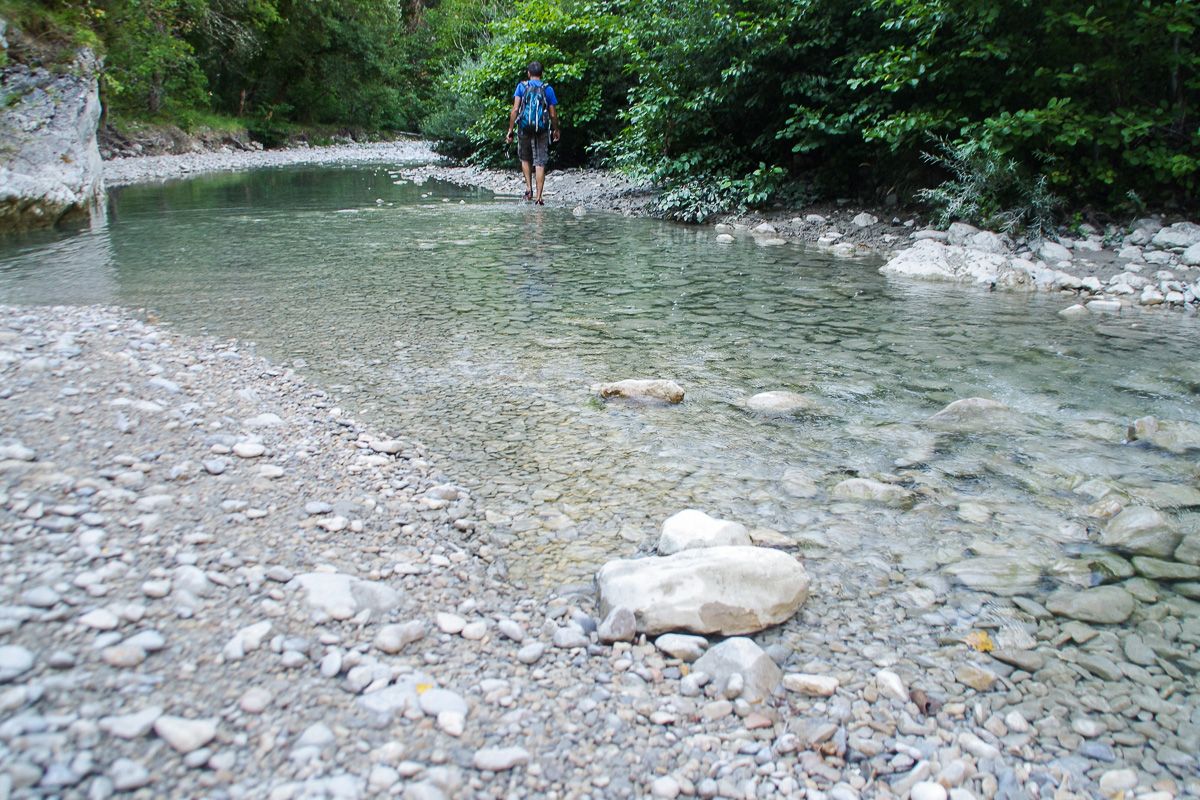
<point x="477" y="326"/>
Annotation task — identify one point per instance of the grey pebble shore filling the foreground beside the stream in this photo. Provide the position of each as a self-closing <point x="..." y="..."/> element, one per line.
<point x="217" y="584"/>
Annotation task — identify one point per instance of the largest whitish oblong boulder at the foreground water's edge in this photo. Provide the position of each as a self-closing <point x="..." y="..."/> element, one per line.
<point x="728" y="591"/>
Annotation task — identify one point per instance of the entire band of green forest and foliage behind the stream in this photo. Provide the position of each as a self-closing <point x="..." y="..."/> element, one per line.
<point x="999" y="112"/>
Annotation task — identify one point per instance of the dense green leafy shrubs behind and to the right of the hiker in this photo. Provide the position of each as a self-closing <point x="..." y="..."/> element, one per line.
<point x="1021" y="106"/>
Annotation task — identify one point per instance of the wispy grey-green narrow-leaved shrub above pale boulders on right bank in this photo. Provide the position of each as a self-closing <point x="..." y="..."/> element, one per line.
<point x="988" y="189"/>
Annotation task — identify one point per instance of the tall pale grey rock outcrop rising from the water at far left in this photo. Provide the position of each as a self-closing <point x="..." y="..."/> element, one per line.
<point x="50" y="161"/>
